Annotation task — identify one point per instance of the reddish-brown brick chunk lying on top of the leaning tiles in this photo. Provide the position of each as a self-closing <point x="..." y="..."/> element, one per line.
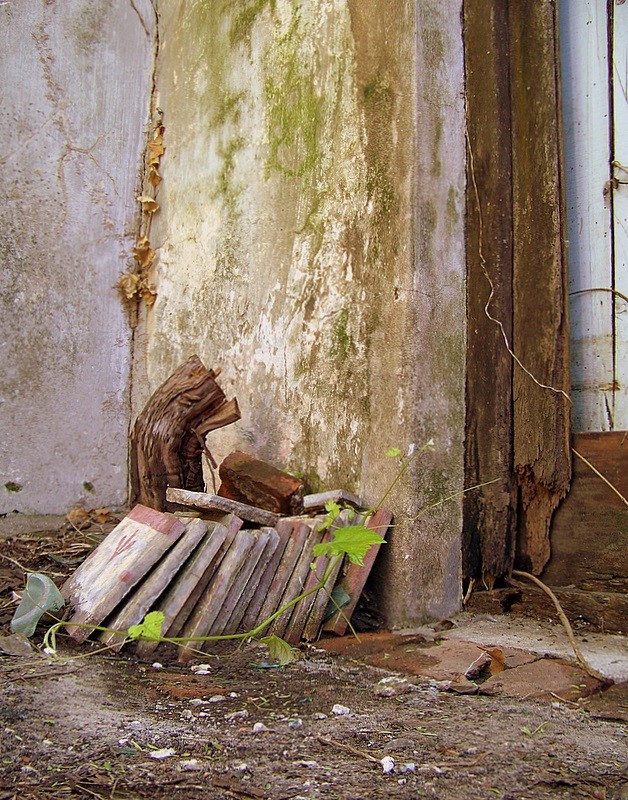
<point x="248" y="480"/>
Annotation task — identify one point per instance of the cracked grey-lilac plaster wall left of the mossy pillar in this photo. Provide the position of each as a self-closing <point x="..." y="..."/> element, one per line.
<point x="75" y="88"/>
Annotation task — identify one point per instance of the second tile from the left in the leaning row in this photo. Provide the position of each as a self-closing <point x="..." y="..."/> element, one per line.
<point x="154" y="584"/>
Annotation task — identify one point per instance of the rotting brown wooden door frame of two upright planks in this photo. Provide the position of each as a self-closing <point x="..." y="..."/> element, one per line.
<point x="518" y="409"/>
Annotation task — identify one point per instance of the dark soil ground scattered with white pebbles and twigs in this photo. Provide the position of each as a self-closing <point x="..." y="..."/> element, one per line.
<point x="87" y="724"/>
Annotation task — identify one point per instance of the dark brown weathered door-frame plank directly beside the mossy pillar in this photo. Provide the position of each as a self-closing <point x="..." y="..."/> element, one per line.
<point x="490" y="521"/>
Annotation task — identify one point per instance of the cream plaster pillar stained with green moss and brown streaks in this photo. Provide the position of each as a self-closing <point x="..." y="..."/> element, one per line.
<point x="310" y="243"/>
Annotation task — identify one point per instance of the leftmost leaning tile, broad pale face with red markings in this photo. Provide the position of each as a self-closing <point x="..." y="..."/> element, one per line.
<point x="117" y="565"/>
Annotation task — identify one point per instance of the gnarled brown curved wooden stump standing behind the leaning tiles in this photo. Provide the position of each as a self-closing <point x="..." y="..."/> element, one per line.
<point x="167" y="441"/>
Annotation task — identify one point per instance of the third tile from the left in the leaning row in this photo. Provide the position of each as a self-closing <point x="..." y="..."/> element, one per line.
<point x="183" y="594"/>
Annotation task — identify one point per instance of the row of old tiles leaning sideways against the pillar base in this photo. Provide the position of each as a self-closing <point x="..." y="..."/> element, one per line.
<point x="214" y="578"/>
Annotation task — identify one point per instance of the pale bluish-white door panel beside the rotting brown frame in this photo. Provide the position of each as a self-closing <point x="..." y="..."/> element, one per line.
<point x="594" y="42"/>
